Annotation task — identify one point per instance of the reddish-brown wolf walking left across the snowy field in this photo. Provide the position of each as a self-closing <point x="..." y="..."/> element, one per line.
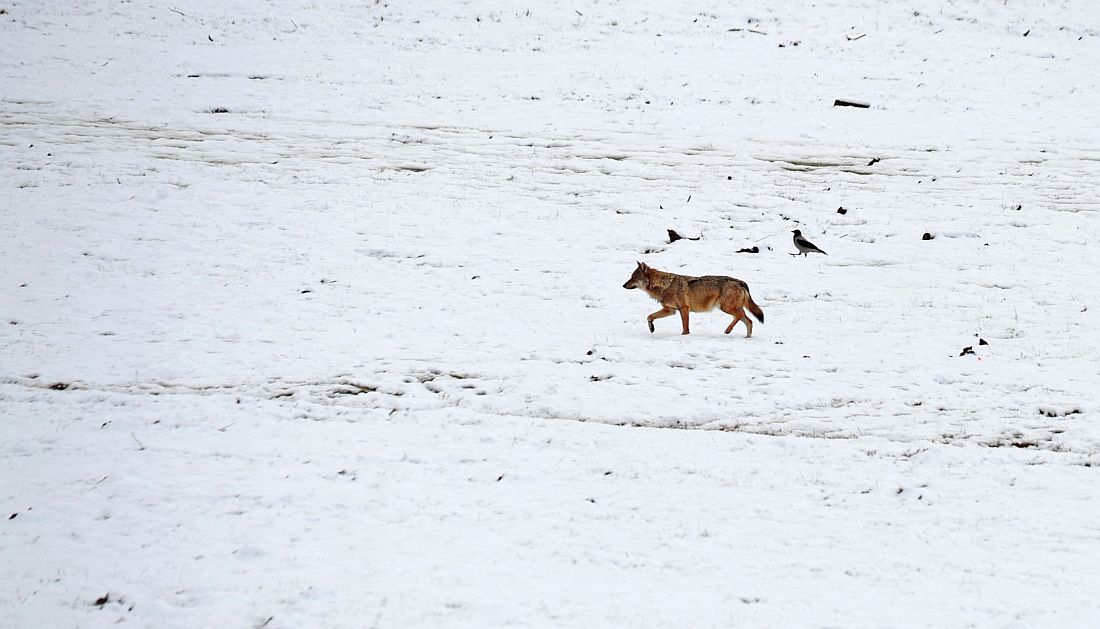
<point x="689" y="294"/>
